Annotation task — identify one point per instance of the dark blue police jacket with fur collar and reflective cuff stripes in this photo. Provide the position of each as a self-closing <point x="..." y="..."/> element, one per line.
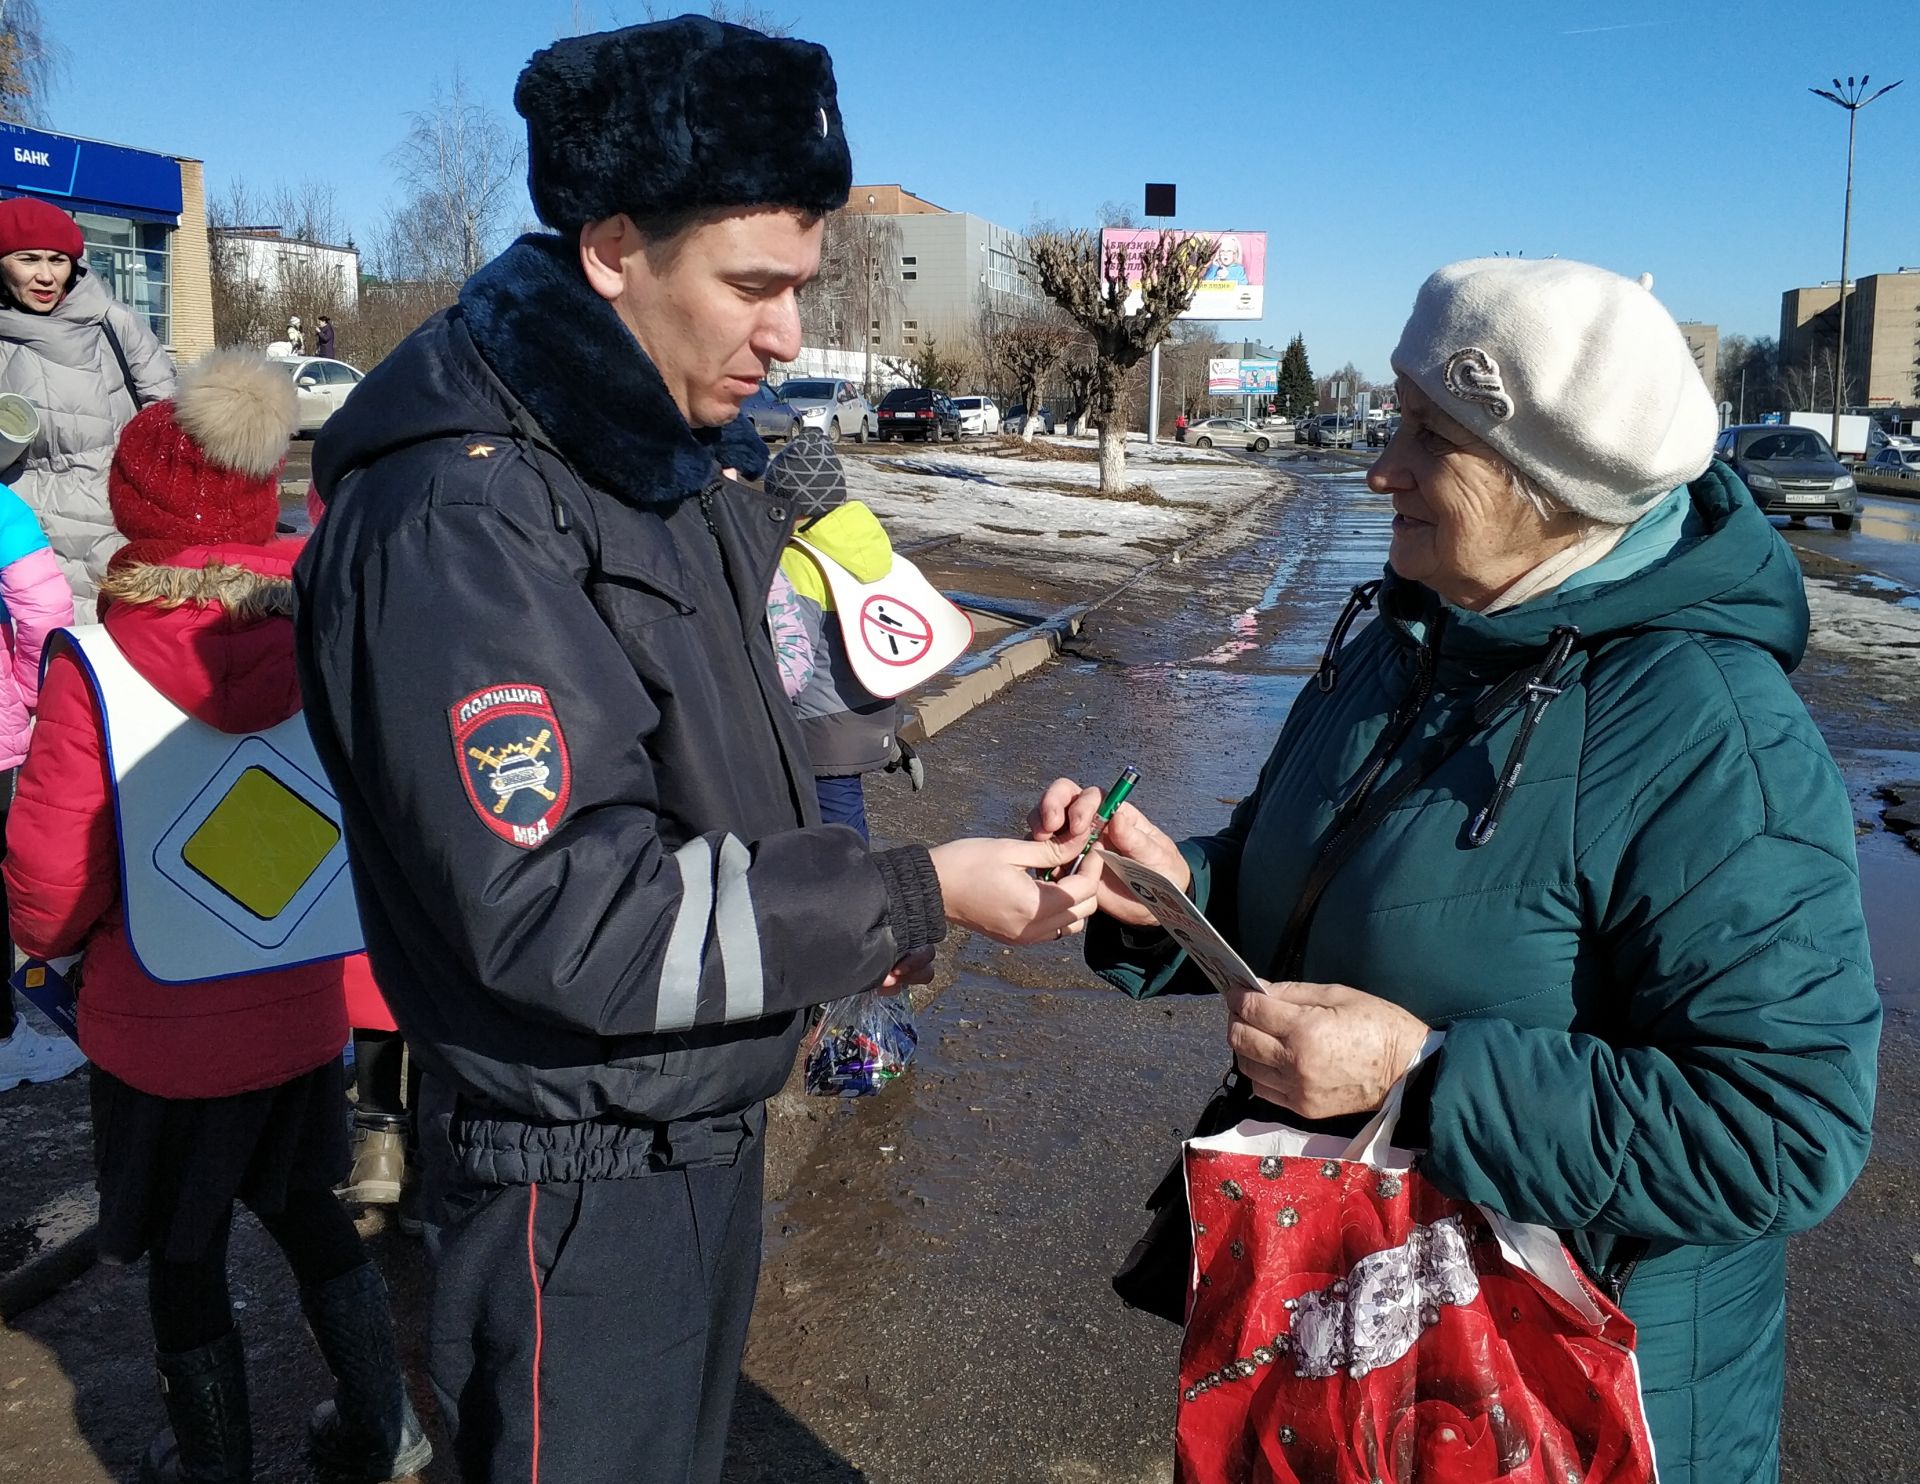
<point x="581" y="819"/>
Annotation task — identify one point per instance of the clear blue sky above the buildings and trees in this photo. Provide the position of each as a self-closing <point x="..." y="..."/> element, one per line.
<point x="1372" y="143"/>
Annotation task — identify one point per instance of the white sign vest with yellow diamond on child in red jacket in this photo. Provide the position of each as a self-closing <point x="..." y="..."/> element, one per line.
<point x="231" y="850"/>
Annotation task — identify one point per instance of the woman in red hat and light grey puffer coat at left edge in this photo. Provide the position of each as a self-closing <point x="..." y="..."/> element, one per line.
<point x="89" y="364"/>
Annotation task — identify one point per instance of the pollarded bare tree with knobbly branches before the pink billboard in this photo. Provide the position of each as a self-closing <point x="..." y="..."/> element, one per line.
<point x="1093" y="287"/>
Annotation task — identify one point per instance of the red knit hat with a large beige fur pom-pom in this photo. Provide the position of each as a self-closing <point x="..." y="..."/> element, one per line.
<point x="204" y="467"/>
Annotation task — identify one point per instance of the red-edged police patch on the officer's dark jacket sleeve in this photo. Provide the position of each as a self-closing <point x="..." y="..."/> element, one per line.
<point x="514" y="761"/>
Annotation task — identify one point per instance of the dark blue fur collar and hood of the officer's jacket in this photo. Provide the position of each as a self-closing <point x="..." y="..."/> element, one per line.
<point x="531" y="335"/>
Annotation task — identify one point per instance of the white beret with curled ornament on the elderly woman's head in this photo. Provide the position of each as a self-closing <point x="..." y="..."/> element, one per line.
<point x="1577" y="377"/>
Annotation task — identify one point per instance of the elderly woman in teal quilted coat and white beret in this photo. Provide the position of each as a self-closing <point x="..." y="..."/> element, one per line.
<point x="1562" y="802"/>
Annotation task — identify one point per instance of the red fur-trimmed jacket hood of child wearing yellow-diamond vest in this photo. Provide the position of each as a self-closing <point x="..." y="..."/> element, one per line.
<point x="212" y="631"/>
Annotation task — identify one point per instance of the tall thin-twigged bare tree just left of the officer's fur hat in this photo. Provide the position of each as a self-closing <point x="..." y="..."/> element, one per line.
<point x="460" y="172"/>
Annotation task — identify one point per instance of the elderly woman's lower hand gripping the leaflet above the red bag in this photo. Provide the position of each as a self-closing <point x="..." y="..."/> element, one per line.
<point x="1322" y="1051"/>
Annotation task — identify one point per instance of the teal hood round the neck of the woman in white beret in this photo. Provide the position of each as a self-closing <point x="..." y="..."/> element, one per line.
<point x="1735" y="581"/>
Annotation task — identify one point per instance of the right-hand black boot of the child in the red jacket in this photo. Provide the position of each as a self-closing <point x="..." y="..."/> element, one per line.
<point x="368" y="1433"/>
